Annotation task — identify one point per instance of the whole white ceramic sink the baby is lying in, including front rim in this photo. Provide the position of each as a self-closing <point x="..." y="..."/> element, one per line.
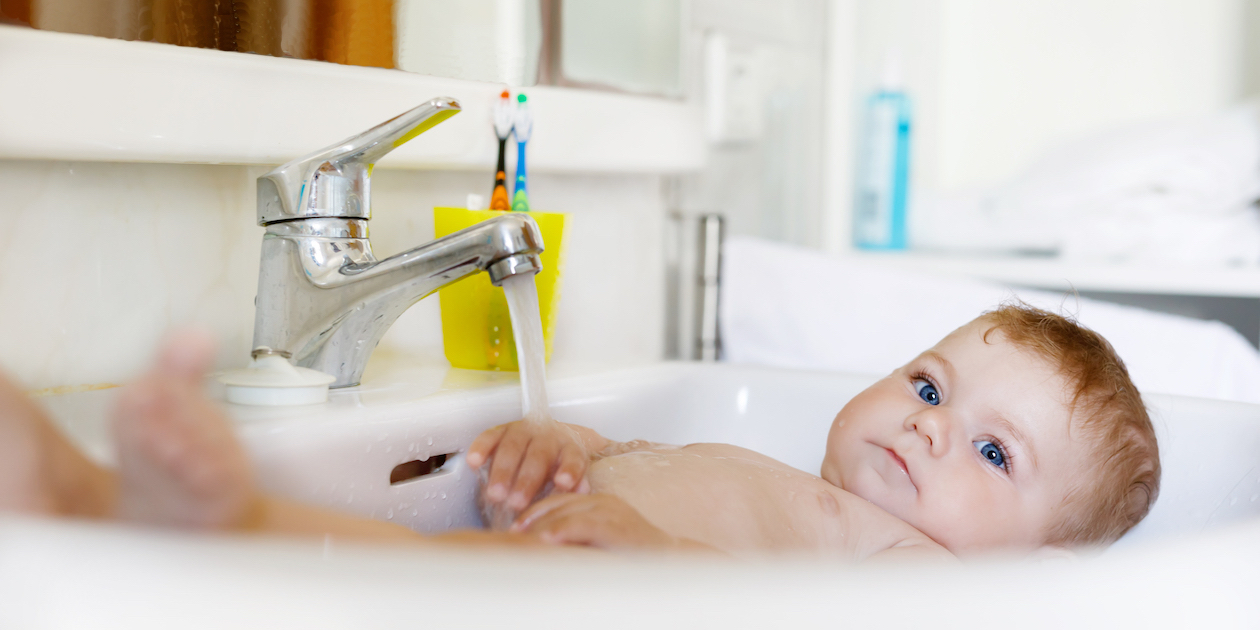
<point x="1180" y="563"/>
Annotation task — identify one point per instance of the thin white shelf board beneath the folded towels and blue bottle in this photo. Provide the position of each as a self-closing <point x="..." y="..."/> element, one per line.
<point x="1060" y="275"/>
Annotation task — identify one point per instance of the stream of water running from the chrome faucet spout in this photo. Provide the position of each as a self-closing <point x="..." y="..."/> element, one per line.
<point x="527" y="329"/>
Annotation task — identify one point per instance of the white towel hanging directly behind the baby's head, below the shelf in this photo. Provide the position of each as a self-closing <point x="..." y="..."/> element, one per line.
<point x="797" y="308"/>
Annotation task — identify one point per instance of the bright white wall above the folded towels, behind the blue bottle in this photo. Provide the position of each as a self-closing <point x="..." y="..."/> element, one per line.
<point x="997" y="83"/>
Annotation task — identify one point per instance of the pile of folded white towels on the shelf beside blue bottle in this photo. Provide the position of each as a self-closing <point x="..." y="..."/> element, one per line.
<point x="1181" y="190"/>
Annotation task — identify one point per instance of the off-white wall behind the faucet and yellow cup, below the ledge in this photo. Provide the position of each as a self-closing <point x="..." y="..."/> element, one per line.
<point x="99" y="260"/>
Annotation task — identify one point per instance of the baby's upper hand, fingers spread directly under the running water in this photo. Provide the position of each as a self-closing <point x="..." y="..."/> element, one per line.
<point x="525" y="455"/>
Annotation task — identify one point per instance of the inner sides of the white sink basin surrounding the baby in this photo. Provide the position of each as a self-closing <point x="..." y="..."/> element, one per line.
<point x="343" y="454"/>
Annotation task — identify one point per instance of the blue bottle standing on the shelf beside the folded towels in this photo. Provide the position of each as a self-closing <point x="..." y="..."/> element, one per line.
<point x="884" y="168"/>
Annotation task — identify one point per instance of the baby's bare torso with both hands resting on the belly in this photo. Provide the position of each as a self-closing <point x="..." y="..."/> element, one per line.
<point x="665" y="498"/>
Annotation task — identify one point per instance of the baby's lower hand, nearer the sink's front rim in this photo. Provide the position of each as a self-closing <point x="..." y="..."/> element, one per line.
<point x="595" y="521"/>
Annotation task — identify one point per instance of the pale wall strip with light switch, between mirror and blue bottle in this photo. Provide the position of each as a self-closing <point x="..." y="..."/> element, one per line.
<point x="768" y="183"/>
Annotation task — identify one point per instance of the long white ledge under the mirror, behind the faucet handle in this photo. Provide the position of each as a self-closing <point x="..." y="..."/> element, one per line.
<point x="79" y="98"/>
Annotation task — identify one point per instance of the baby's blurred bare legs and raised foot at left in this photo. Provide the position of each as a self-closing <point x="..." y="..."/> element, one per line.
<point x="180" y="466"/>
